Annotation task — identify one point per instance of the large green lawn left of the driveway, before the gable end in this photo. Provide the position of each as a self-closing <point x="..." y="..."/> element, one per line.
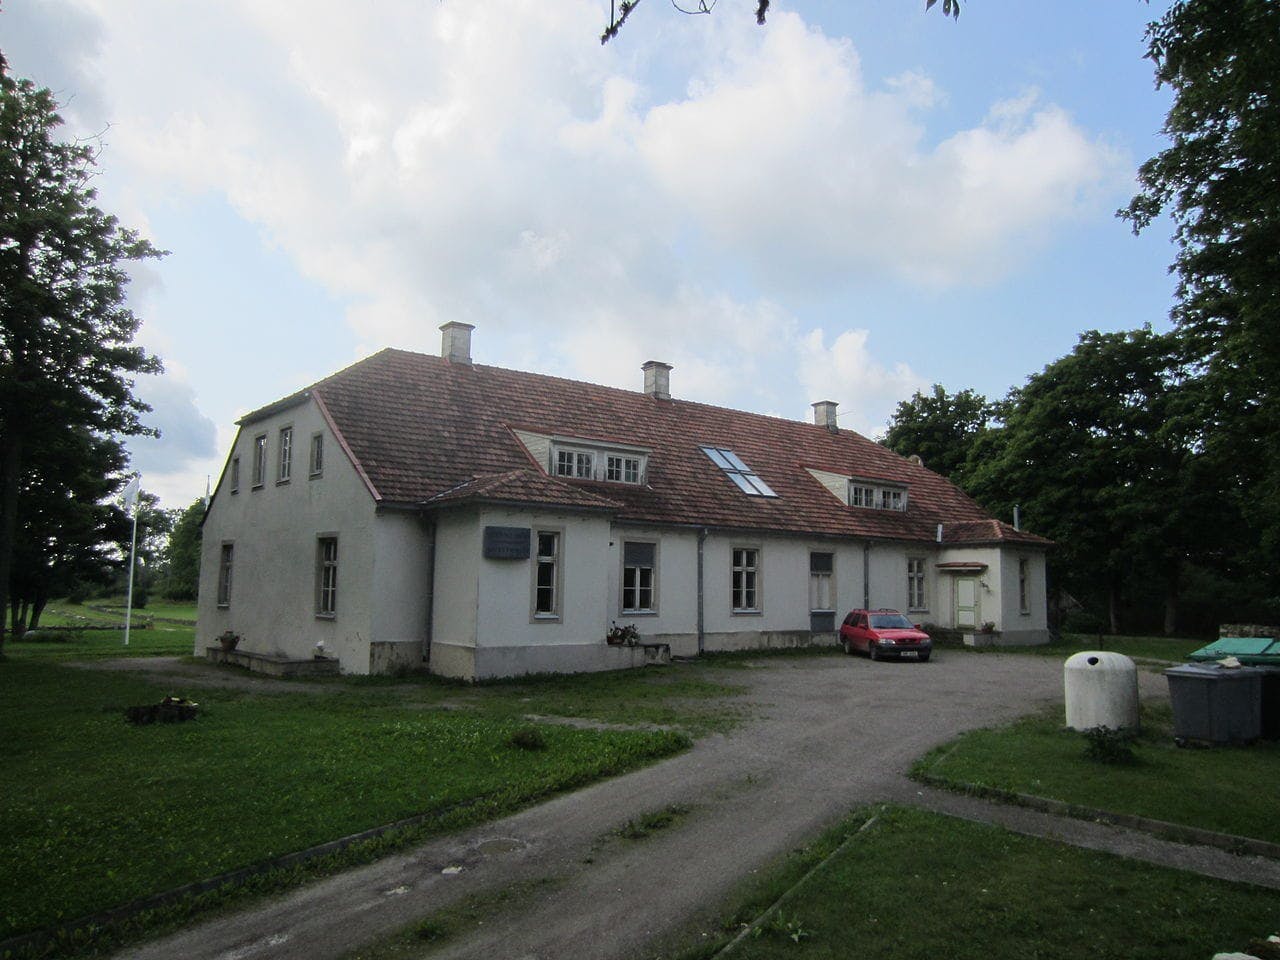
<point x="98" y="812"/>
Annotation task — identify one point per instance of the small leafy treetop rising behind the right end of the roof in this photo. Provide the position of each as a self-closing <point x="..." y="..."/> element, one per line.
<point x="940" y="429"/>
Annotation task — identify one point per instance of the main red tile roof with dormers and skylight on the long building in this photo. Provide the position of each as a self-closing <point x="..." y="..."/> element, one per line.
<point x="424" y="429"/>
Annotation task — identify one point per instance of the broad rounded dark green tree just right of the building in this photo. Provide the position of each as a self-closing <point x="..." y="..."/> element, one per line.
<point x="1105" y="450"/>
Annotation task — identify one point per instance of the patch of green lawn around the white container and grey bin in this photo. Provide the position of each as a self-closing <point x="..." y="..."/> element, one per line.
<point x="1232" y="790"/>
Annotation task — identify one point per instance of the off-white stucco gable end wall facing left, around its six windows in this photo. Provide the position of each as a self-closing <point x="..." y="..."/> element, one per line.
<point x="273" y="531"/>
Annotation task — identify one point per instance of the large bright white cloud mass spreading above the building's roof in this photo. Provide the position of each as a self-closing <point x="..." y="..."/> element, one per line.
<point x="491" y="163"/>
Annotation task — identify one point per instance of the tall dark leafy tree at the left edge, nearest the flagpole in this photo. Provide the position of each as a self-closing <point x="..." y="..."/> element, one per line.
<point x="66" y="330"/>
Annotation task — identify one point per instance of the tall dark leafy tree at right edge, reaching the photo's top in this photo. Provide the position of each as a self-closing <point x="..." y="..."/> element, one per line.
<point x="1218" y="180"/>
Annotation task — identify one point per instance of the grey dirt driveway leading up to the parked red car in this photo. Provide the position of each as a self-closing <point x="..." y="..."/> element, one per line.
<point x="829" y="734"/>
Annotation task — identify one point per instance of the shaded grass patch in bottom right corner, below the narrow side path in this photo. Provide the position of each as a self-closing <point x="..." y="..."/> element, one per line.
<point x="918" y="886"/>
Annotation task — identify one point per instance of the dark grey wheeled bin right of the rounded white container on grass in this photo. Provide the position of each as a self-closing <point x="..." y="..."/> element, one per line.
<point x="1217" y="705"/>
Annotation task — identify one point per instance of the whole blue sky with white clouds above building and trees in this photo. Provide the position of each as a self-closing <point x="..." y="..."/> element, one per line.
<point x="851" y="204"/>
